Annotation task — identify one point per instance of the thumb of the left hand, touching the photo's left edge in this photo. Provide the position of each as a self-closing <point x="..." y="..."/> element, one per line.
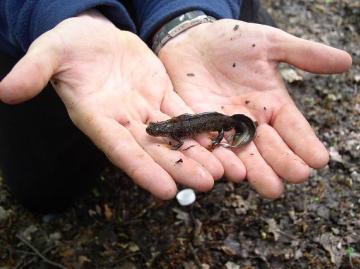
<point x="32" y="73"/>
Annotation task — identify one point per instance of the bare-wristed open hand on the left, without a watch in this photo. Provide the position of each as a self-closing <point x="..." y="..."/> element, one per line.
<point x="112" y="85"/>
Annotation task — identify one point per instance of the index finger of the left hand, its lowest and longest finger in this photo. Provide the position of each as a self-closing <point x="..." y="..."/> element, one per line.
<point x="123" y="150"/>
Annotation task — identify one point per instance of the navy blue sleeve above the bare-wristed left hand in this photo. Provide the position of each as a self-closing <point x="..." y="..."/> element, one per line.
<point x="22" y="21"/>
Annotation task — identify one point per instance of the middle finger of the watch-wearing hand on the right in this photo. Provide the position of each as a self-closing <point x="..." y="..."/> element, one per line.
<point x="278" y="155"/>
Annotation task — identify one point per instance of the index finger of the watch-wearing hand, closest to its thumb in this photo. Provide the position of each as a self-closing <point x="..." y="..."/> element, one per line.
<point x="299" y="136"/>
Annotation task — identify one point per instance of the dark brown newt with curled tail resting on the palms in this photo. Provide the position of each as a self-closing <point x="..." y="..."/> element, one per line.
<point x="189" y="125"/>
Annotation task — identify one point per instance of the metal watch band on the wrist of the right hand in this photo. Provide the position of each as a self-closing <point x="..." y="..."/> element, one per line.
<point x="177" y="26"/>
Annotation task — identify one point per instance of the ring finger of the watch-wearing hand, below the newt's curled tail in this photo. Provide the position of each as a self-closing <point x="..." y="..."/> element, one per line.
<point x="259" y="174"/>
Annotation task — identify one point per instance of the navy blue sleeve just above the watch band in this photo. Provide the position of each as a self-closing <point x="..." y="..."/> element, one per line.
<point x="152" y="14"/>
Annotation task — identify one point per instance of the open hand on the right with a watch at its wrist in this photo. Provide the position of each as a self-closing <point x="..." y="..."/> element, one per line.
<point x="231" y="67"/>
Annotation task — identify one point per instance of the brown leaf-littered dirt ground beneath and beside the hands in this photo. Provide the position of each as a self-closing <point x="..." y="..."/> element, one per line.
<point x="314" y="225"/>
